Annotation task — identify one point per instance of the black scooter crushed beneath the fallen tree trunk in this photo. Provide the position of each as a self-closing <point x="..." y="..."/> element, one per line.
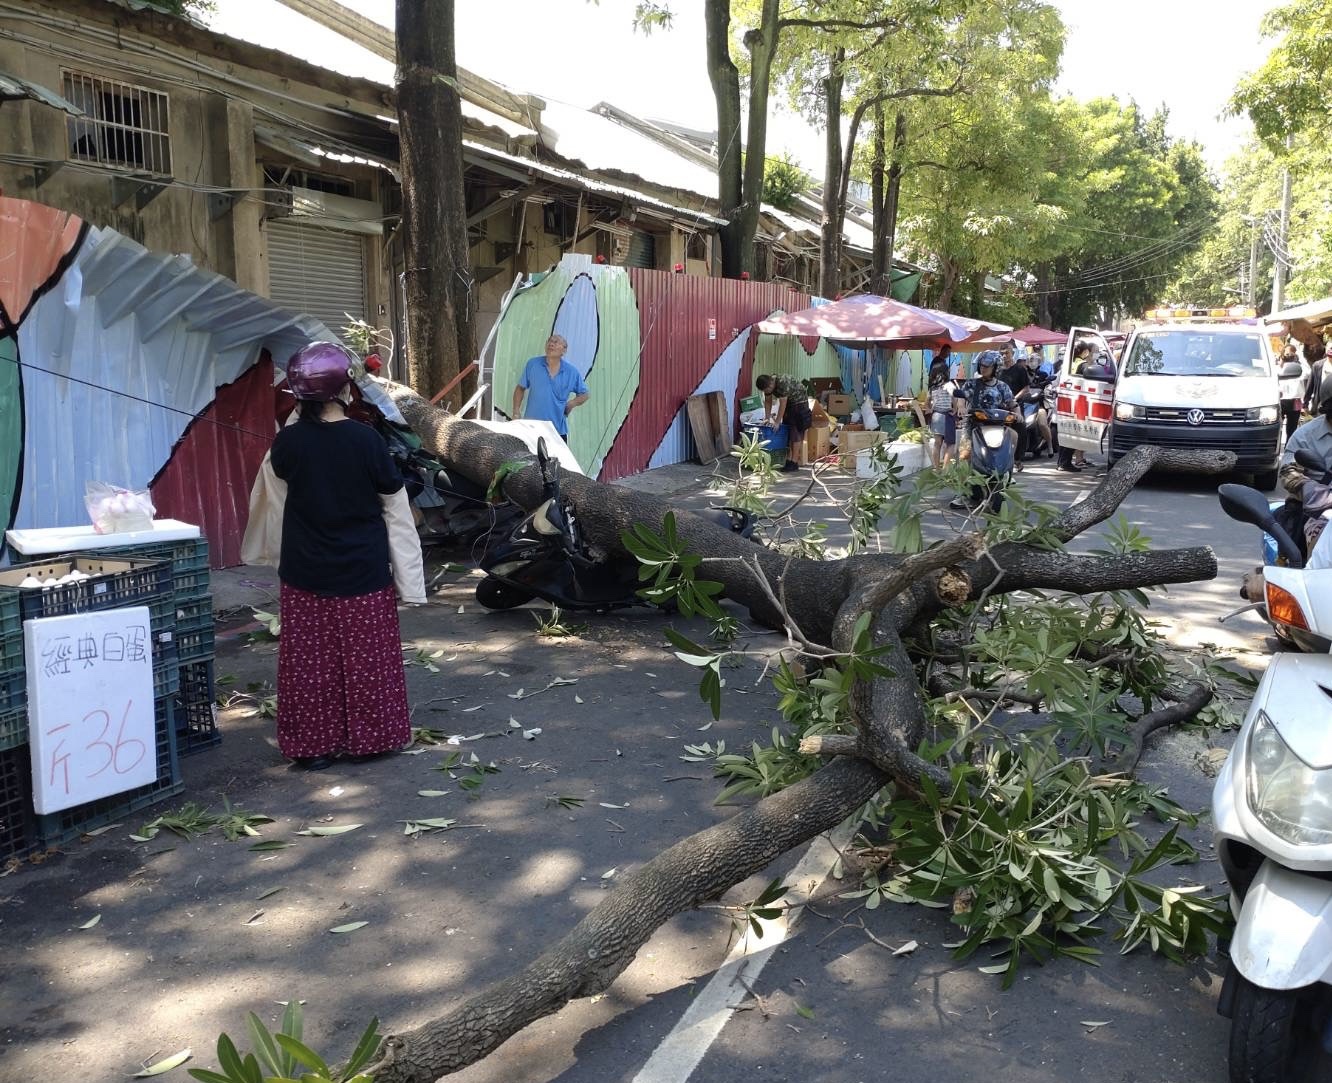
<point x="547" y="557"/>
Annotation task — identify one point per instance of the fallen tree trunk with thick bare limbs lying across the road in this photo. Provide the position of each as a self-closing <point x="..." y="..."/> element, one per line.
<point x="827" y="600"/>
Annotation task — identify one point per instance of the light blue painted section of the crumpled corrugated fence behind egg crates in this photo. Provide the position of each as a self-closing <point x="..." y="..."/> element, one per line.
<point x="119" y="358"/>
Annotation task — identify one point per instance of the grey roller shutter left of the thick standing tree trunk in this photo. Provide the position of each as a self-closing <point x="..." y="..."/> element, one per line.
<point x="318" y="272"/>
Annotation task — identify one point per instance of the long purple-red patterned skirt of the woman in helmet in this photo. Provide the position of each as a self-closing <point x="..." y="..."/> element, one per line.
<point x="342" y="688"/>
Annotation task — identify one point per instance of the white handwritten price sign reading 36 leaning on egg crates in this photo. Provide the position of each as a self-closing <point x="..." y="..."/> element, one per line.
<point x="90" y="707"/>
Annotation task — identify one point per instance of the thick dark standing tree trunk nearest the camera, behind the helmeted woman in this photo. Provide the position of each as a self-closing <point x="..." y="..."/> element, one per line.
<point x="440" y="288"/>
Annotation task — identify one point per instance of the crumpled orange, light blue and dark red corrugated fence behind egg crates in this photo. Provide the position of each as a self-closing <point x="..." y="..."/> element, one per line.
<point x="130" y="367"/>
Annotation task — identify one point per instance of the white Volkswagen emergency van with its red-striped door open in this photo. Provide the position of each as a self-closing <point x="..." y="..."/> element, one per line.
<point x="1202" y="380"/>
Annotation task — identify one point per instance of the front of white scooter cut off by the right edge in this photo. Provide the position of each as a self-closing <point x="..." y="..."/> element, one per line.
<point x="1273" y="821"/>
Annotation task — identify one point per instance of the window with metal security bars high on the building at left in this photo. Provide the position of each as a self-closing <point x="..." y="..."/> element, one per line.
<point x="125" y="126"/>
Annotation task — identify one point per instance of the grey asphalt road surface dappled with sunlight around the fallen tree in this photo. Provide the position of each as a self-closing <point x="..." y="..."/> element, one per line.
<point x="191" y="934"/>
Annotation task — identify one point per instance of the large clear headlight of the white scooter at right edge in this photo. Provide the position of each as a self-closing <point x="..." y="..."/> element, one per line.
<point x="1293" y="800"/>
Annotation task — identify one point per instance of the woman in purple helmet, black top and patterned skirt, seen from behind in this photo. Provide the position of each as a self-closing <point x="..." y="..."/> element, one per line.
<point x="342" y="688"/>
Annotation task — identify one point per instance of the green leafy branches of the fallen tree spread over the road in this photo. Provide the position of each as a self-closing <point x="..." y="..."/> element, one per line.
<point x="1032" y="847"/>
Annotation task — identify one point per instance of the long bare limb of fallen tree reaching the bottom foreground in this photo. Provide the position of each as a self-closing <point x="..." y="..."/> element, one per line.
<point x="595" y="953"/>
